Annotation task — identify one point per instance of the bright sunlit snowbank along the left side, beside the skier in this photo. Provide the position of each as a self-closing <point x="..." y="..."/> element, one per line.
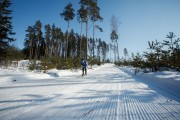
<point x="20" y="73"/>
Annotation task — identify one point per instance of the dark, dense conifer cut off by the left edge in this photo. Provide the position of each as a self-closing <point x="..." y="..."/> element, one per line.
<point x="5" y="28"/>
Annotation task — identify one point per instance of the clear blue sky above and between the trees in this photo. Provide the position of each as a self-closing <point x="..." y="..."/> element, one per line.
<point x="140" y="20"/>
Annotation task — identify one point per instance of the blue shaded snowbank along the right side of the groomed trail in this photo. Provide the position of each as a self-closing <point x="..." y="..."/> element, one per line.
<point x="169" y="81"/>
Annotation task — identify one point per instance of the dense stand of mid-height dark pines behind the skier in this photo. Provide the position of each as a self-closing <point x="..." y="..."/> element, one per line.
<point x="50" y="46"/>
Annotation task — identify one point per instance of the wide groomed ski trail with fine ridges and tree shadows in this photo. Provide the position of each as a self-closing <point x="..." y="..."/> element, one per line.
<point x="124" y="98"/>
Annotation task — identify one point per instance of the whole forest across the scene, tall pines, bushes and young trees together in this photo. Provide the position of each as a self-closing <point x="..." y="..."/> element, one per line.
<point x="63" y="50"/>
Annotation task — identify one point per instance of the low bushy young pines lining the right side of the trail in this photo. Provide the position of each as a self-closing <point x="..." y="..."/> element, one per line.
<point x="162" y="55"/>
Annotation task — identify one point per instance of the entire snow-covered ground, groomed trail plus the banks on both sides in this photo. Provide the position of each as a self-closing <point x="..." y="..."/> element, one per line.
<point x="107" y="92"/>
